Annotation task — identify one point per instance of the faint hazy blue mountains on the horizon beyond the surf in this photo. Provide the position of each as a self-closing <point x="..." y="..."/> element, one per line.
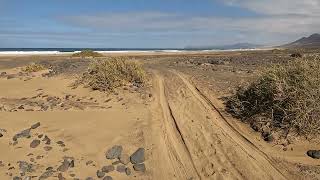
<point x="226" y="47"/>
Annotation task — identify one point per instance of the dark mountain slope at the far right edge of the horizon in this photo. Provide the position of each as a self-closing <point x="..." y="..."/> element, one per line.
<point x="312" y="41"/>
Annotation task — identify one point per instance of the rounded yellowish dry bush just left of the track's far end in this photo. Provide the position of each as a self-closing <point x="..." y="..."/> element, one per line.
<point x="108" y="74"/>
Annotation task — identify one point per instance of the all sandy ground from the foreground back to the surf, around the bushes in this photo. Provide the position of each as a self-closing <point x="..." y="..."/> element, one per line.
<point x="178" y="119"/>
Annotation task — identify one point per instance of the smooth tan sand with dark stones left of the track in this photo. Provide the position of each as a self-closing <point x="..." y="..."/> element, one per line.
<point x="88" y="127"/>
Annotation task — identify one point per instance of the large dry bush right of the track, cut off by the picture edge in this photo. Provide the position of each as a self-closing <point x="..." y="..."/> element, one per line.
<point x="286" y="96"/>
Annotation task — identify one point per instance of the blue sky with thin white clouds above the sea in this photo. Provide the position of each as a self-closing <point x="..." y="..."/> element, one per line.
<point x="154" y="23"/>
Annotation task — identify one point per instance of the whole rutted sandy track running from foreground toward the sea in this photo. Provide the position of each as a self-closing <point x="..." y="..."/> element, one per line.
<point x="200" y="142"/>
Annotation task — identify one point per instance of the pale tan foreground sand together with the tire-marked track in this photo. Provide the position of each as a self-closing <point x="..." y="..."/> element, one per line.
<point x="184" y="132"/>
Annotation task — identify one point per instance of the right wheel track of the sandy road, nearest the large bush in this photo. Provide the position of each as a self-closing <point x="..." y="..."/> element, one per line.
<point x="238" y="156"/>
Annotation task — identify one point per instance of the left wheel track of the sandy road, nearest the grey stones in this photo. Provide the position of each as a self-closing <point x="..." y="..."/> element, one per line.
<point x="172" y="145"/>
